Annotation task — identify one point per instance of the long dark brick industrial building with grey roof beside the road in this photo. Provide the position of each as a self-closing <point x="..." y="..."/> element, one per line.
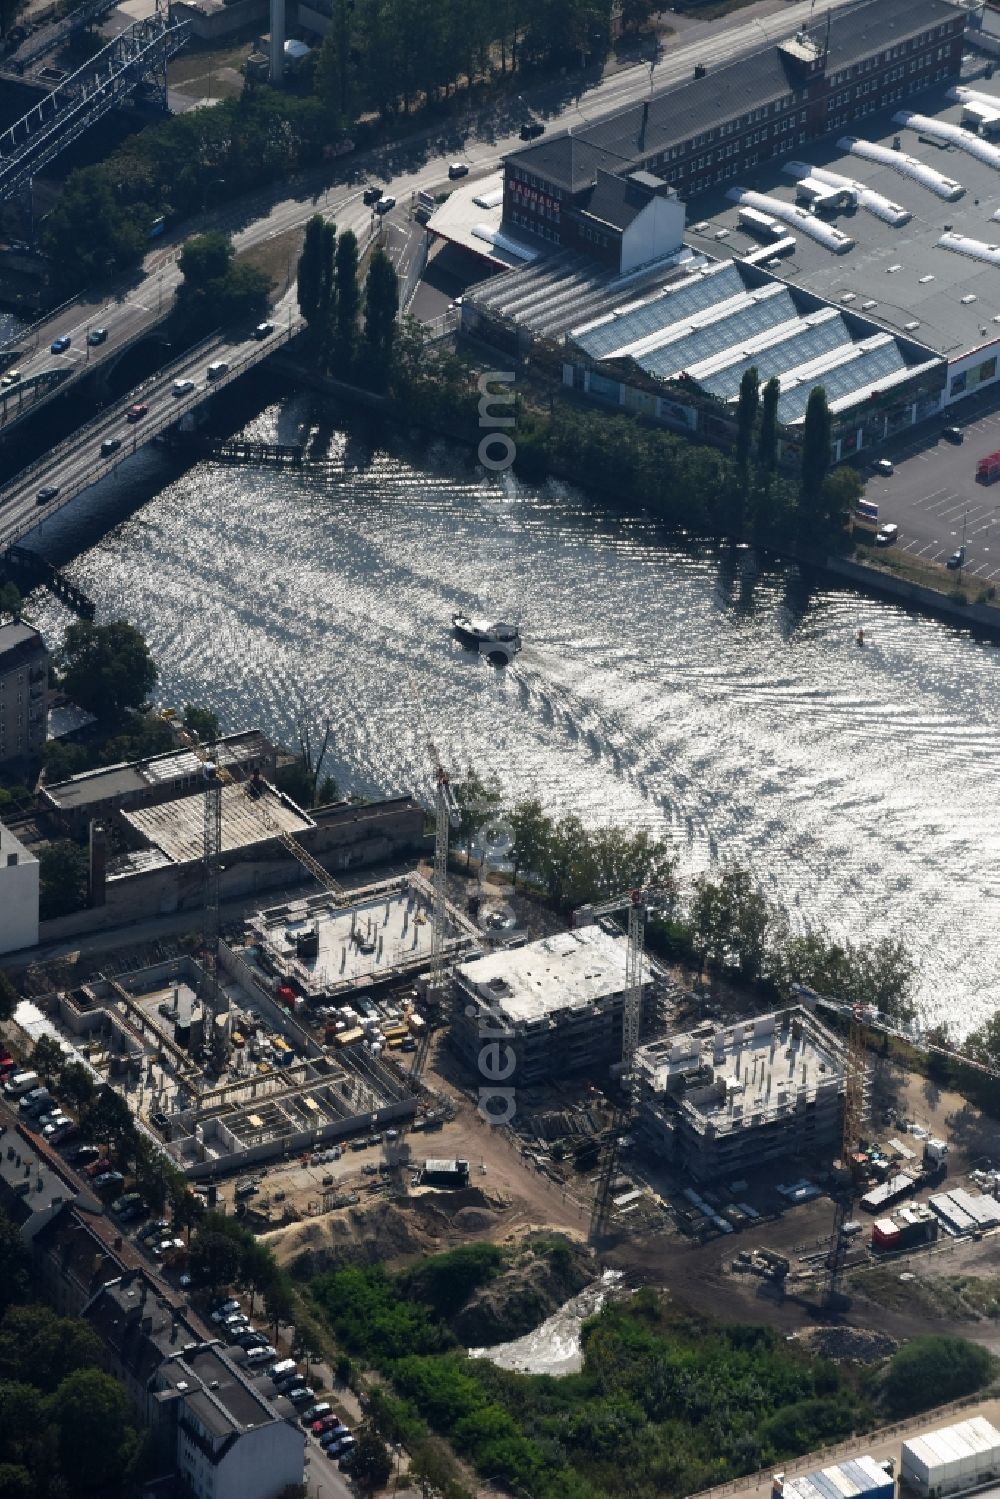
<point x="600" y="190"/>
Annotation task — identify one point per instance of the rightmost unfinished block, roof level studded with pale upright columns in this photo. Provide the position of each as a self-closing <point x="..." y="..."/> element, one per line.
<point x="722" y="1101"/>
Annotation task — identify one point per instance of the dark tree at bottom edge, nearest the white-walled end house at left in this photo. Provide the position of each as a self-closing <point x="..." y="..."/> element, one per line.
<point x="97" y="1438"/>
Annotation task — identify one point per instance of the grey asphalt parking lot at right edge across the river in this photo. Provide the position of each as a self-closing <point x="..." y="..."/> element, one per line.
<point x="935" y="497"/>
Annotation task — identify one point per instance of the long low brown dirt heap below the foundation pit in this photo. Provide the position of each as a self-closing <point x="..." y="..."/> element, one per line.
<point x="388" y="1231"/>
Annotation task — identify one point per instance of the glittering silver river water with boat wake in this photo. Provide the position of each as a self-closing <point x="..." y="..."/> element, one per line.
<point x="665" y="684"/>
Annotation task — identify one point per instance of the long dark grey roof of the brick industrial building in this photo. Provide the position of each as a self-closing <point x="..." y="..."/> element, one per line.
<point x="635" y="134"/>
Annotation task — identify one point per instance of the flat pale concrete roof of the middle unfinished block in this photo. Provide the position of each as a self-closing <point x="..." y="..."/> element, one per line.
<point x="569" y="972"/>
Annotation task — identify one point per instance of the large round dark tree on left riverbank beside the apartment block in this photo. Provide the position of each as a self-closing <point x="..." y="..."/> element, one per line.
<point x="107" y="669"/>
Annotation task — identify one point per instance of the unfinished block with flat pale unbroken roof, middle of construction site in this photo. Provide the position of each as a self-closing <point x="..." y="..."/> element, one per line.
<point x="557" y="1004"/>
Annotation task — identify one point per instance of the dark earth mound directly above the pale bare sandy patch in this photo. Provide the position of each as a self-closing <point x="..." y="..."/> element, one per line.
<point x="522" y="1297"/>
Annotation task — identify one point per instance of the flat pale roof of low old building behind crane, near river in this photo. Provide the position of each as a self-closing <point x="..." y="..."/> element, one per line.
<point x="176" y="828"/>
